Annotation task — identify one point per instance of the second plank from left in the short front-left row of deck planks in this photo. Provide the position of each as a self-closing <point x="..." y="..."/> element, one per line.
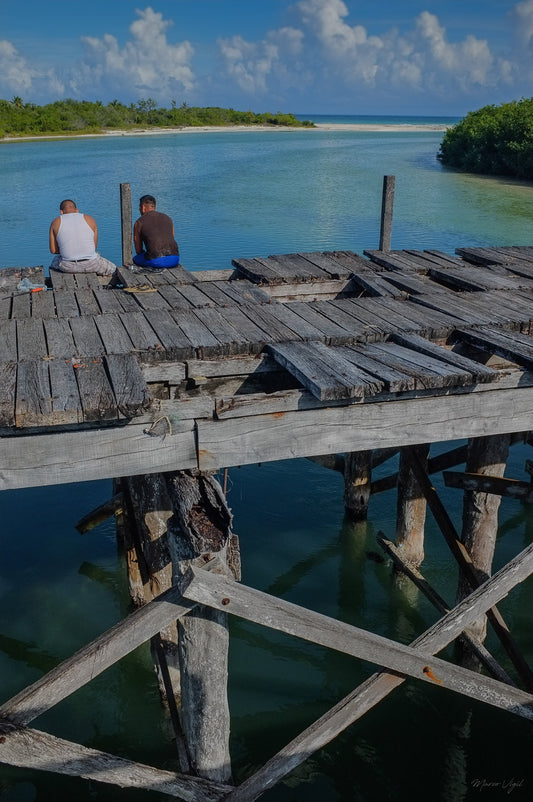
<point x="33" y="403"/>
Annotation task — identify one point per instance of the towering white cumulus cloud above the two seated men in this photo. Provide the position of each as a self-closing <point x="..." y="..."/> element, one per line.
<point x="148" y="62"/>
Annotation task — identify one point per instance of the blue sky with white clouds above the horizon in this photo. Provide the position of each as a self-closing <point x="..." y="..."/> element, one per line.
<point x="305" y="56"/>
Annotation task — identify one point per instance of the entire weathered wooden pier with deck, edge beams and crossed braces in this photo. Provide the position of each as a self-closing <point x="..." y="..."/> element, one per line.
<point x="296" y="355"/>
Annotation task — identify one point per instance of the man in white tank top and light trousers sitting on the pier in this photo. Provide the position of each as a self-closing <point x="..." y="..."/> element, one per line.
<point x="73" y="241"/>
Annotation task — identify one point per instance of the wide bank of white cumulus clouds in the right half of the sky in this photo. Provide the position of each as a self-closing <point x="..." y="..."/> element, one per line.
<point x="340" y="54"/>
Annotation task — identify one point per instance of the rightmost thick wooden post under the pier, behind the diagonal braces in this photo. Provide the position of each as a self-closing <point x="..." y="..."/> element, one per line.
<point x="486" y="455"/>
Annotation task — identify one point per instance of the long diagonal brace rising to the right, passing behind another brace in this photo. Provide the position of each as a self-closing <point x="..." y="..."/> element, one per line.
<point x="367" y="695"/>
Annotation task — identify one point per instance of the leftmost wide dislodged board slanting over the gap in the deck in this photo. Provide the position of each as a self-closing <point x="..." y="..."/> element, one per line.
<point x="323" y="371"/>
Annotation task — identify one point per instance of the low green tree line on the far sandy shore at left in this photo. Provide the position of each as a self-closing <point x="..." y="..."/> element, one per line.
<point x="82" y="116"/>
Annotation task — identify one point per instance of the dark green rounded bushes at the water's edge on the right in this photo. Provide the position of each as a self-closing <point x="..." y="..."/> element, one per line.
<point x="494" y="140"/>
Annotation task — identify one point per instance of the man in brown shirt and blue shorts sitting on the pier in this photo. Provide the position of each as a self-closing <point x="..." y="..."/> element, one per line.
<point x="154" y="238"/>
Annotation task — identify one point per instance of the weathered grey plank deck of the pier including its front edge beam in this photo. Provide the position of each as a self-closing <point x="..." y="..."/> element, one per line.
<point x="279" y="357"/>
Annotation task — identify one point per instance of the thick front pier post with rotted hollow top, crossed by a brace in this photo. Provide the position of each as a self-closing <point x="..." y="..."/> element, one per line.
<point x="200" y="529"/>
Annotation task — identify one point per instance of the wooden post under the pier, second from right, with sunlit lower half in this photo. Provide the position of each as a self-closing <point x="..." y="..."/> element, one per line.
<point x="411" y="508"/>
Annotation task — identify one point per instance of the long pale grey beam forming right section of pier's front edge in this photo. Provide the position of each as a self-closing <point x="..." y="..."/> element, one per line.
<point x="361" y="426"/>
